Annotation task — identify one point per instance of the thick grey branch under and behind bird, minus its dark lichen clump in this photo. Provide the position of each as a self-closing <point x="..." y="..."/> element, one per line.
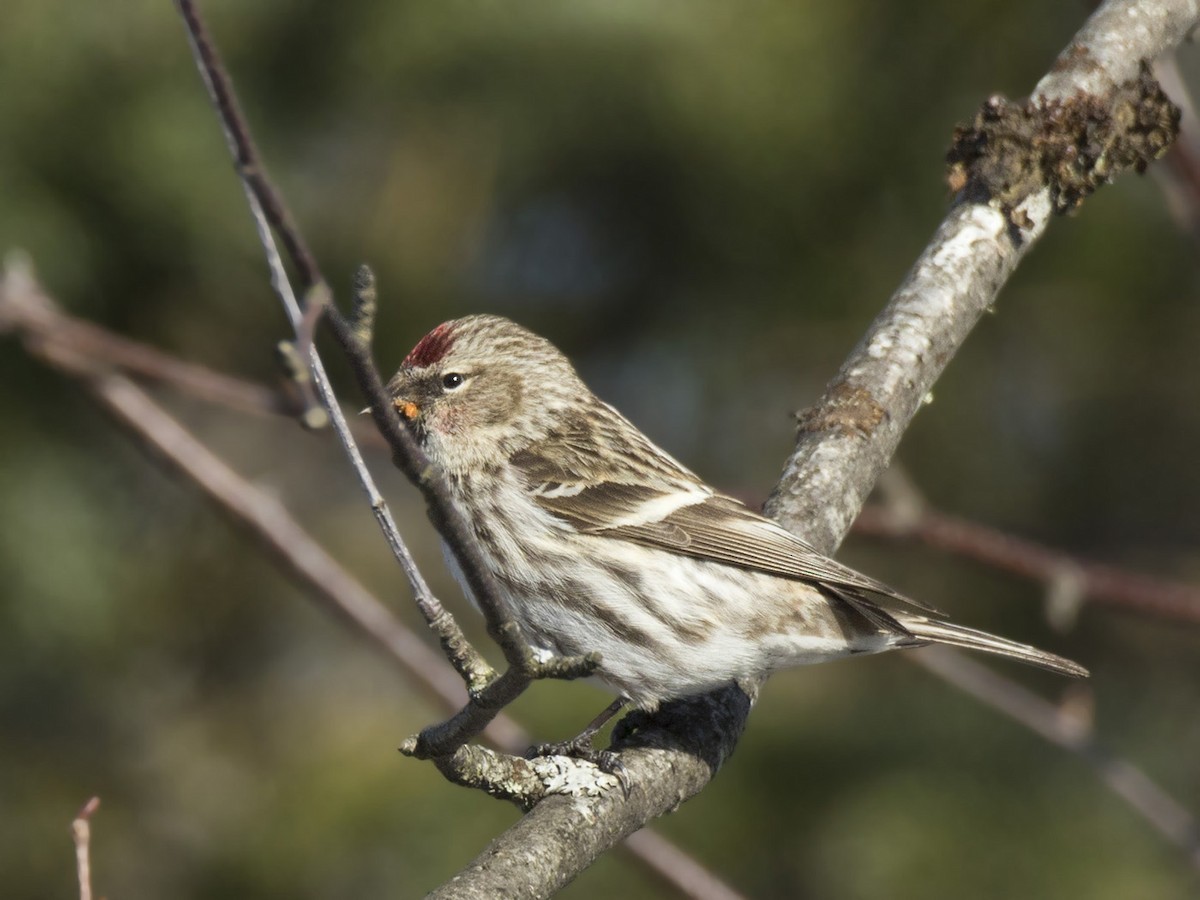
<point x="844" y="446"/>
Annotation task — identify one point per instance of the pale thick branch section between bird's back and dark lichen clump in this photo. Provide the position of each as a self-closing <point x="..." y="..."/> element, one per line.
<point x="849" y="439"/>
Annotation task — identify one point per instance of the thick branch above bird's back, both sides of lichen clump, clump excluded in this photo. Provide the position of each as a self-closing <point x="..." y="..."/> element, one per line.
<point x="845" y="442"/>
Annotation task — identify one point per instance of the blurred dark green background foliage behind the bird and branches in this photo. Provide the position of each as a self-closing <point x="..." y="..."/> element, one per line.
<point x="704" y="203"/>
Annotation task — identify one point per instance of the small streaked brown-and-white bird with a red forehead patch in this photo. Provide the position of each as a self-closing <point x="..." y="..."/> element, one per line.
<point x="601" y="542"/>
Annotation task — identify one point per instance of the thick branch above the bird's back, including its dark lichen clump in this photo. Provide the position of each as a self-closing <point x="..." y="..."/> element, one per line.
<point x="1009" y="191"/>
